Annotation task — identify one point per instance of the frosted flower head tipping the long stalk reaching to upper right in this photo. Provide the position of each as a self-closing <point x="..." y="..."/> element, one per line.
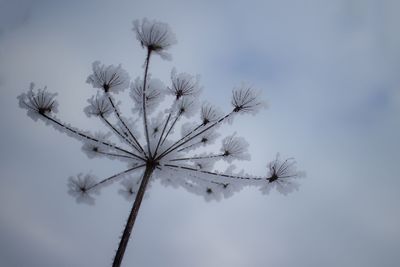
<point x="246" y="100"/>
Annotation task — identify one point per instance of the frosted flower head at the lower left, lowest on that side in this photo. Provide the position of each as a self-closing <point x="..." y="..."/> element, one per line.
<point x="82" y="188"/>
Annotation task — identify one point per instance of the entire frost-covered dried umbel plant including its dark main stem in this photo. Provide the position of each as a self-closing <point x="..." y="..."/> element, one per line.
<point x="151" y="148"/>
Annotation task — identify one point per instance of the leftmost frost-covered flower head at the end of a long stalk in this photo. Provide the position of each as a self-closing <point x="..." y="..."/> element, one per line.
<point x="38" y="103"/>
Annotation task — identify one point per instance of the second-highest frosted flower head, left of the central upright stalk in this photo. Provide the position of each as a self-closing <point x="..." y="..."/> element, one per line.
<point x="109" y="78"/>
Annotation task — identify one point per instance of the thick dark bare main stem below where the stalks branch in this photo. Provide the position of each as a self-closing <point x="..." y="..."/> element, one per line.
<point x="132" y="216"/>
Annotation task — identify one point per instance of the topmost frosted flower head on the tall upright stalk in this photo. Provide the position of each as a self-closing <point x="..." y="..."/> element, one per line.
<point x="154" y="35"/>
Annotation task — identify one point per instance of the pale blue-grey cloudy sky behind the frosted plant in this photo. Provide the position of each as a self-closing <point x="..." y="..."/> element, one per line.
<point x="330" y="73"/>
